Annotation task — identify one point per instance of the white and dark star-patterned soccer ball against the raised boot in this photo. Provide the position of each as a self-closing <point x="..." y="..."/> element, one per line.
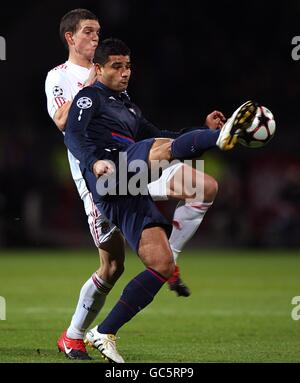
<point x="262" y="129"/>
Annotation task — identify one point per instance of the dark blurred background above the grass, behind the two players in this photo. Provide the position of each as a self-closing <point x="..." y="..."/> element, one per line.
<point x="189" y="58"/>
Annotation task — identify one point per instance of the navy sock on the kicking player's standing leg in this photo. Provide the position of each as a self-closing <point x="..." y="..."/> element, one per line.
<point x="139" y="292"/>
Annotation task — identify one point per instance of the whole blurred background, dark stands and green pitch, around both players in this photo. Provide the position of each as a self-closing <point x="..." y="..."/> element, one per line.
<point x="189" y="58"/>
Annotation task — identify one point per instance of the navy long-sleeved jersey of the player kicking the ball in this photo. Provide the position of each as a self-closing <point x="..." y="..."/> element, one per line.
<point x="102" y="122"/>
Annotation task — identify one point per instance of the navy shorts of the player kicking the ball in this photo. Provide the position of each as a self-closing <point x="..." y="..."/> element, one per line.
<point x="131" y="214"/>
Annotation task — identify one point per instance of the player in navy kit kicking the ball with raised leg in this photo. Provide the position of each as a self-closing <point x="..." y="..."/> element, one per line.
<point x="102" y="123"/>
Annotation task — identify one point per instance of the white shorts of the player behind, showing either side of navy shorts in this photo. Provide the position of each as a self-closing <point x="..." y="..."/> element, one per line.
<point x="101" y="229"/>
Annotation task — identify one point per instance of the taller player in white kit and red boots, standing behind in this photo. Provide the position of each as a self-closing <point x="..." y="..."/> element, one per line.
<point x="79" y="30"/>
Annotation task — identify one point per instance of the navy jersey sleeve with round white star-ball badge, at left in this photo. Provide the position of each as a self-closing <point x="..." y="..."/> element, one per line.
<point x="85" y="106"/>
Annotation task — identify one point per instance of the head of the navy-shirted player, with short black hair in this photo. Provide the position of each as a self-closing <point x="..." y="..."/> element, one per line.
<point x="112" y="59"/>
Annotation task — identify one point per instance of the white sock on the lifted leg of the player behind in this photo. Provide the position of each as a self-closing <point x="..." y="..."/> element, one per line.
<point x="186" y="220"/>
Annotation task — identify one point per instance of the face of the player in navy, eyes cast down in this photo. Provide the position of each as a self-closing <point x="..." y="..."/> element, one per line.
<point x="115" y="74"/>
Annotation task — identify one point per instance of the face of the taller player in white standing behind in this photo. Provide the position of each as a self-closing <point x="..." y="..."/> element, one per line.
<point x="86" y="38"/>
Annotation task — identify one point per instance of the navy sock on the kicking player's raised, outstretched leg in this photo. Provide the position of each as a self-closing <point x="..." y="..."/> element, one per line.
<point x="193" y="144"/>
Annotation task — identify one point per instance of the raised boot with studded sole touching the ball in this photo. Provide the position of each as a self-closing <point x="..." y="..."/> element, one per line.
<point x="241" y="119"/>
